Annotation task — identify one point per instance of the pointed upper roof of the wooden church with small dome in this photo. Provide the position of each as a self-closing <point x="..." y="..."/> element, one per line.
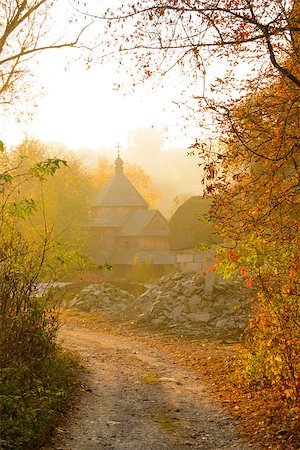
<point x="119" y="191"/>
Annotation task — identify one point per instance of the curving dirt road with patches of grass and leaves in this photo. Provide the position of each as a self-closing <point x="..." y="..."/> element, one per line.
<point x="136" y="398"/>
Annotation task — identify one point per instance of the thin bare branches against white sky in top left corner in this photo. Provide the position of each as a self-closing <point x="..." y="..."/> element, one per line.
<point x="27" y="29"/>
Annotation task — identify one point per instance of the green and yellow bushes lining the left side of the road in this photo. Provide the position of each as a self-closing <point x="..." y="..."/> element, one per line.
<point x="34" y="378"/>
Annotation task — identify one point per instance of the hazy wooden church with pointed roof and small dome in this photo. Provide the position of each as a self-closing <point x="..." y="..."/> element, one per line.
<point x="123" y="228"/>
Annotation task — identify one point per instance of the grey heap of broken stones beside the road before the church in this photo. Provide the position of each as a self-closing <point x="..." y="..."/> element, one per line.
<point x="208" y="306"/>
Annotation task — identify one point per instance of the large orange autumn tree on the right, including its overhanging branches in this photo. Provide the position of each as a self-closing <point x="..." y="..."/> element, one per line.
<point x="254" y="176"/>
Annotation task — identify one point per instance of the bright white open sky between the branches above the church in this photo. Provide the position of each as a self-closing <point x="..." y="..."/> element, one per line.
<point x="83" y="109"/>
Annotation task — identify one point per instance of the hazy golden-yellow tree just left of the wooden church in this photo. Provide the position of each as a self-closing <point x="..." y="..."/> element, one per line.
<point x="62" y="201"/>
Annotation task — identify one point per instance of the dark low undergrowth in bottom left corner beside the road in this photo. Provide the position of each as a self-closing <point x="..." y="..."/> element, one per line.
<point x="31" y="401"/>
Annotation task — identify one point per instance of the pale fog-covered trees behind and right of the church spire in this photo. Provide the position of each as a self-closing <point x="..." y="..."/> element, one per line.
<point x="175" y="174"/>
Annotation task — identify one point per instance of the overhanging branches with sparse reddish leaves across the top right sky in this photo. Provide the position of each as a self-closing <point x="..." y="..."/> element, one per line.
<point x="153" y="38"/>
